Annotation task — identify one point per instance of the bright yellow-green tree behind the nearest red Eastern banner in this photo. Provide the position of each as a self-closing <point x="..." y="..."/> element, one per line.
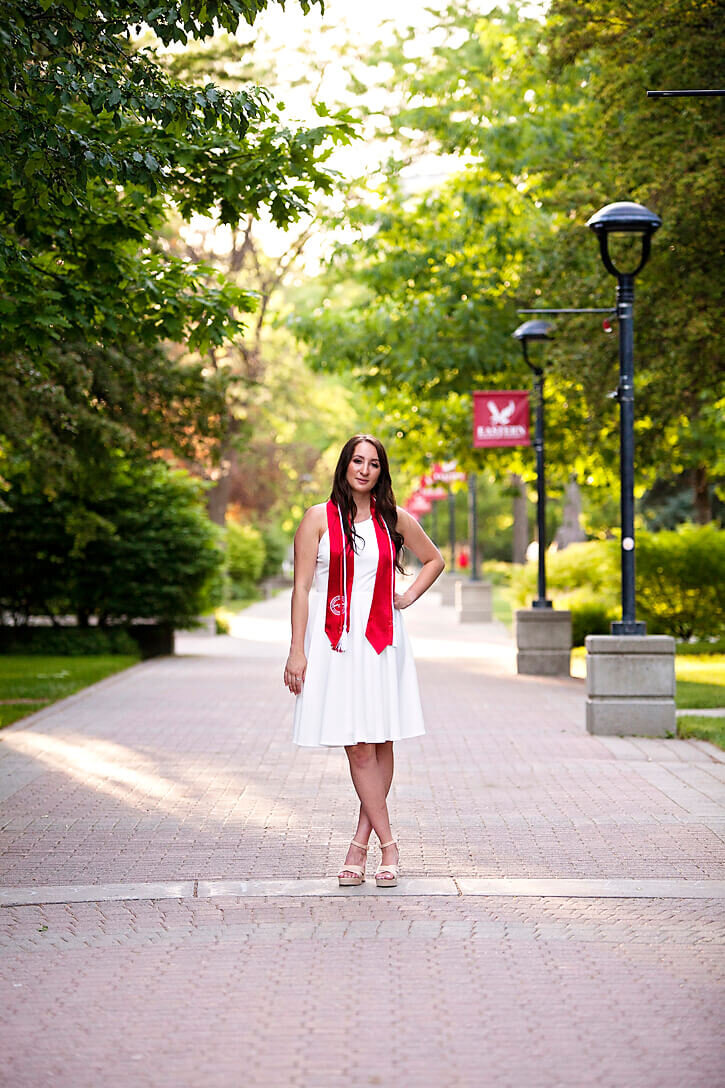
<point x="422" y="307"/>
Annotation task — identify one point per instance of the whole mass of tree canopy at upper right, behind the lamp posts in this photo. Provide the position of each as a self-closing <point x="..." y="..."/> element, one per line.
<point x="550" y="122"/>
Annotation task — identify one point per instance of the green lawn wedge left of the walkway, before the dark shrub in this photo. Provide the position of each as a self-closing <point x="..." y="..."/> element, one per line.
<point x="31" y="682"/>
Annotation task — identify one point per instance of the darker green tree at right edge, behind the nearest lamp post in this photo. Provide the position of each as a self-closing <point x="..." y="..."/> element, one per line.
<point x="669" y="155"/>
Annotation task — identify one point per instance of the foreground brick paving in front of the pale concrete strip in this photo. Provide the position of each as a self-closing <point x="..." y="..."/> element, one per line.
<point x="501" y="993"/>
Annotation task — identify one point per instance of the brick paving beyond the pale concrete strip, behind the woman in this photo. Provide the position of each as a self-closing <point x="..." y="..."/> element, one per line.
<point x="183" y="769"/>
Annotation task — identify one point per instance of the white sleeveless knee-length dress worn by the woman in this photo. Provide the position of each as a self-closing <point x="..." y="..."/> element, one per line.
<point x="360" y="695"/>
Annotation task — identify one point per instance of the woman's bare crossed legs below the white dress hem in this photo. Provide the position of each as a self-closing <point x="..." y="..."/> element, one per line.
<point x="372" y="769"/>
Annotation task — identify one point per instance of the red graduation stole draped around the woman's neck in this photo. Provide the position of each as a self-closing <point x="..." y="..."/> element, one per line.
<point x="379" y="632"/>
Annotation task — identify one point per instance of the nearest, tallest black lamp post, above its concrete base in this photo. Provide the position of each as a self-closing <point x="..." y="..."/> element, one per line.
<point x="626" y="218"/>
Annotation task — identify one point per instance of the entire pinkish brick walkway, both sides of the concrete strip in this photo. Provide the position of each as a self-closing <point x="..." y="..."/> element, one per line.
<point x="183" y="771"/>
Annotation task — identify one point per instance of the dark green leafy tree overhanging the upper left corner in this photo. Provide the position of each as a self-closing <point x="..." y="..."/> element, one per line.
<point x="97" y="140"/>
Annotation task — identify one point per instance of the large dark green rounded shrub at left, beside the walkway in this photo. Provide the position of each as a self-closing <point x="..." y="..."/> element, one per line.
<point x="134" y="545"/>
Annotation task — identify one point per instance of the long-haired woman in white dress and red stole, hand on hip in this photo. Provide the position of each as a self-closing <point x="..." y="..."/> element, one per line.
<point x="351" y="665"/>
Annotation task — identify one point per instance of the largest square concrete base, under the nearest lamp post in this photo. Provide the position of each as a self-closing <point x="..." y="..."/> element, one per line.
<point x="631" y="685"/>
